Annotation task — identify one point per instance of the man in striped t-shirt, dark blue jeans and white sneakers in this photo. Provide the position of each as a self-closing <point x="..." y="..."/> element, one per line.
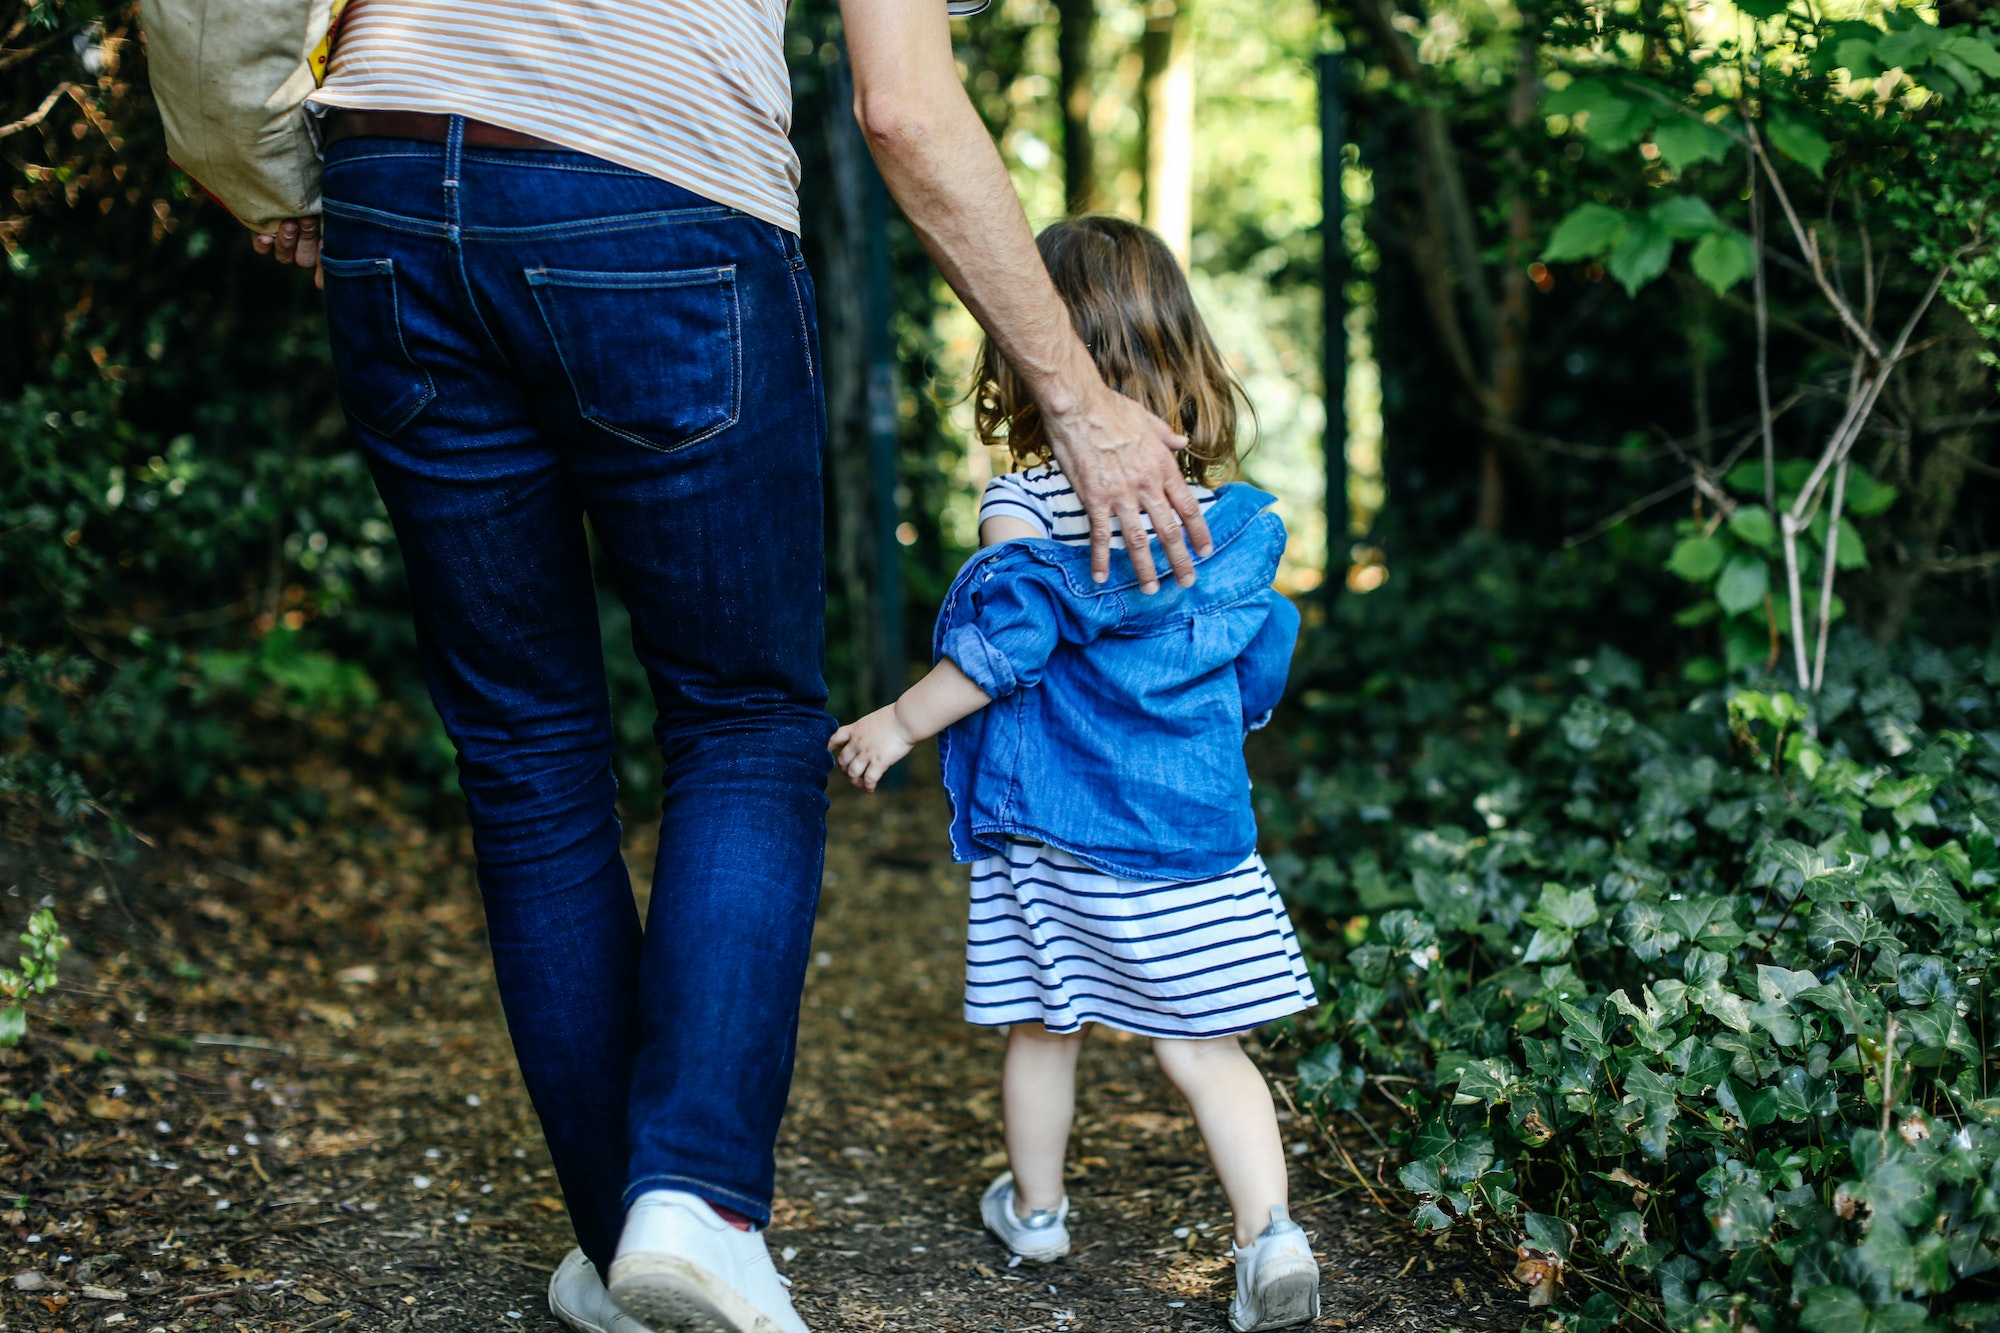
<point x="563" y="283"/>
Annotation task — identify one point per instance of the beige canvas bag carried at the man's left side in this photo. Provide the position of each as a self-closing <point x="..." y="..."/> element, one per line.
<point x="233" y="79"/>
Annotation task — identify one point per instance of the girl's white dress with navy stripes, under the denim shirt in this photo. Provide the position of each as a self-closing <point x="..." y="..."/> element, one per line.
<point x="1061" y="944"/>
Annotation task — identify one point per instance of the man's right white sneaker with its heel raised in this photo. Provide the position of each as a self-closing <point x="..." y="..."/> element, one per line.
<point x="683" y="1270"/>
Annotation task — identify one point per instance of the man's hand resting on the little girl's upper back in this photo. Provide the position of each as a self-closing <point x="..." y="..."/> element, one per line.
<point x="1121" y="461"/>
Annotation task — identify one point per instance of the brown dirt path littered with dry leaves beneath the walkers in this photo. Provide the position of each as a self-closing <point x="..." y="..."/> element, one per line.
<point x="287" y="1104"/>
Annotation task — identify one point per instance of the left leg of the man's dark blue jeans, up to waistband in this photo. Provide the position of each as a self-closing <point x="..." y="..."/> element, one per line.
<point x="491" y="531"/>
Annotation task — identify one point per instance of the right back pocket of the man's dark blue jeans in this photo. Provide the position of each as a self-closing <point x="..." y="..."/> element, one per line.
<point x="653" y="357"/>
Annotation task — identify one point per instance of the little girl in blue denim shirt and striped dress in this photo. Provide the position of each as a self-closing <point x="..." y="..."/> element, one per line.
<point x="1093" y="752"/>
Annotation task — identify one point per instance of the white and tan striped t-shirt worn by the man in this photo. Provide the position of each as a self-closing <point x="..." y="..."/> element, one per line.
<point x="689" y="91"/>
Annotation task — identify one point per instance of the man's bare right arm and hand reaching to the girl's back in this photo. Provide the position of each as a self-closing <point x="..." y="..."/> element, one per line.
<point x="947" y="175"/>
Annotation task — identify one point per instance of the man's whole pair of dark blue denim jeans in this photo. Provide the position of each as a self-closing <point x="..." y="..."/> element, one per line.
<point x="529" y="343"/>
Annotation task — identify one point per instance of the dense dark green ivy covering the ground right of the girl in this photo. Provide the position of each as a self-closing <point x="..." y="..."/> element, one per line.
<point x="1703" y="976"/>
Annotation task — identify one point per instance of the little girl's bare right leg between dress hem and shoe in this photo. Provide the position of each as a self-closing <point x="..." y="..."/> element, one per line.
<point x="1237" y="1120"/>
